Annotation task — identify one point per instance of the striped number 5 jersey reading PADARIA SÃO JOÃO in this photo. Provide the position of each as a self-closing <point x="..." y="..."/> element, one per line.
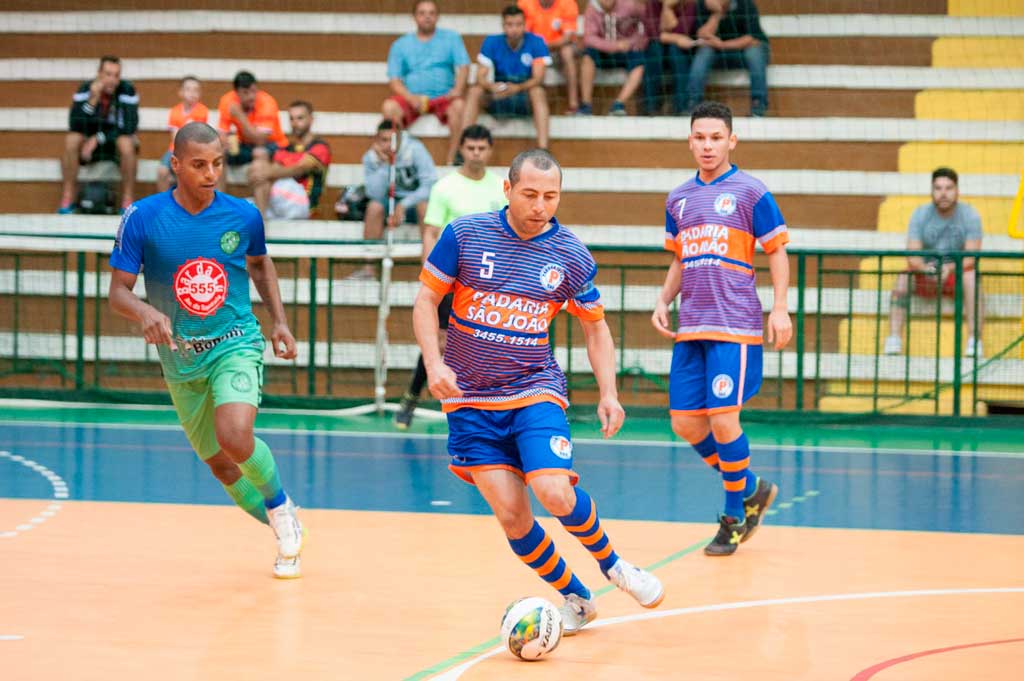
<point x="507" y="291"/>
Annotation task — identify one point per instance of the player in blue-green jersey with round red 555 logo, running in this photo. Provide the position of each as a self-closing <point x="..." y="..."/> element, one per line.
<point x="199" y="248"/>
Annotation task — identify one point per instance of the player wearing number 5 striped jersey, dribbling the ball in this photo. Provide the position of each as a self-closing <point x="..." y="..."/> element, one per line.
<point x="511" y="271"/>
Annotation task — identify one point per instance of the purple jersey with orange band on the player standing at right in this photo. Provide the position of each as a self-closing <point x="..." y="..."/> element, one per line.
<point x="712" y="230"/>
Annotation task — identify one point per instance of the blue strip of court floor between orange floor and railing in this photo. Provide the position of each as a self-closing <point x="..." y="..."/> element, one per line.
<point x="822" y="488"/>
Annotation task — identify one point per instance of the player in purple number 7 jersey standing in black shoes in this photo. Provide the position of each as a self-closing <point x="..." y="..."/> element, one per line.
<point x="712" y="224"/>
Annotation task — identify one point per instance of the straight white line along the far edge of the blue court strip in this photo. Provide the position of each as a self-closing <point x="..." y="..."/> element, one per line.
<point x="439" y="437"/>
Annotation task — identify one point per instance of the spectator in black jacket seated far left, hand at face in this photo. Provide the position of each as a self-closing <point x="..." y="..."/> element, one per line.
<point x="103" y="122"/>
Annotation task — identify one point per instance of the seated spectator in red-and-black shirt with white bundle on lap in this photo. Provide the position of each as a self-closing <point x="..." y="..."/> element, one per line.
<point x="289" y="186"/>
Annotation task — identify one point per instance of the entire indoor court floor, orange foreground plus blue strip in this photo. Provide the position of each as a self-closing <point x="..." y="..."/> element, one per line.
<point x="99" y="583"/>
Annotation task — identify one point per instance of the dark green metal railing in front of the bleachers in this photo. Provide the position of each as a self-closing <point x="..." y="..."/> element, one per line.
<point x="60" y="339"/>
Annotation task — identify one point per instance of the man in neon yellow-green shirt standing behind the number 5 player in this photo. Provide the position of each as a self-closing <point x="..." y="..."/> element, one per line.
<point x="473" y="190"/>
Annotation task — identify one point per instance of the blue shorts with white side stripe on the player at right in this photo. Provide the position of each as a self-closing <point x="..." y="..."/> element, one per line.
<point x="711" y="377"/>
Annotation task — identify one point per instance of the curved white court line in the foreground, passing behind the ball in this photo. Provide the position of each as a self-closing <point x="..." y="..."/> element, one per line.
<point x="456" y="673"/>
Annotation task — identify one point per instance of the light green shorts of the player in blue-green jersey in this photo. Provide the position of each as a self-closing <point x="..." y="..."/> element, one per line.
<point x="237" y="377"/>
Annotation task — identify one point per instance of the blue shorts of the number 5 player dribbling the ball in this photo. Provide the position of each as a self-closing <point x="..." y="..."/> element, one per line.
<point x="530" y="442"/>
